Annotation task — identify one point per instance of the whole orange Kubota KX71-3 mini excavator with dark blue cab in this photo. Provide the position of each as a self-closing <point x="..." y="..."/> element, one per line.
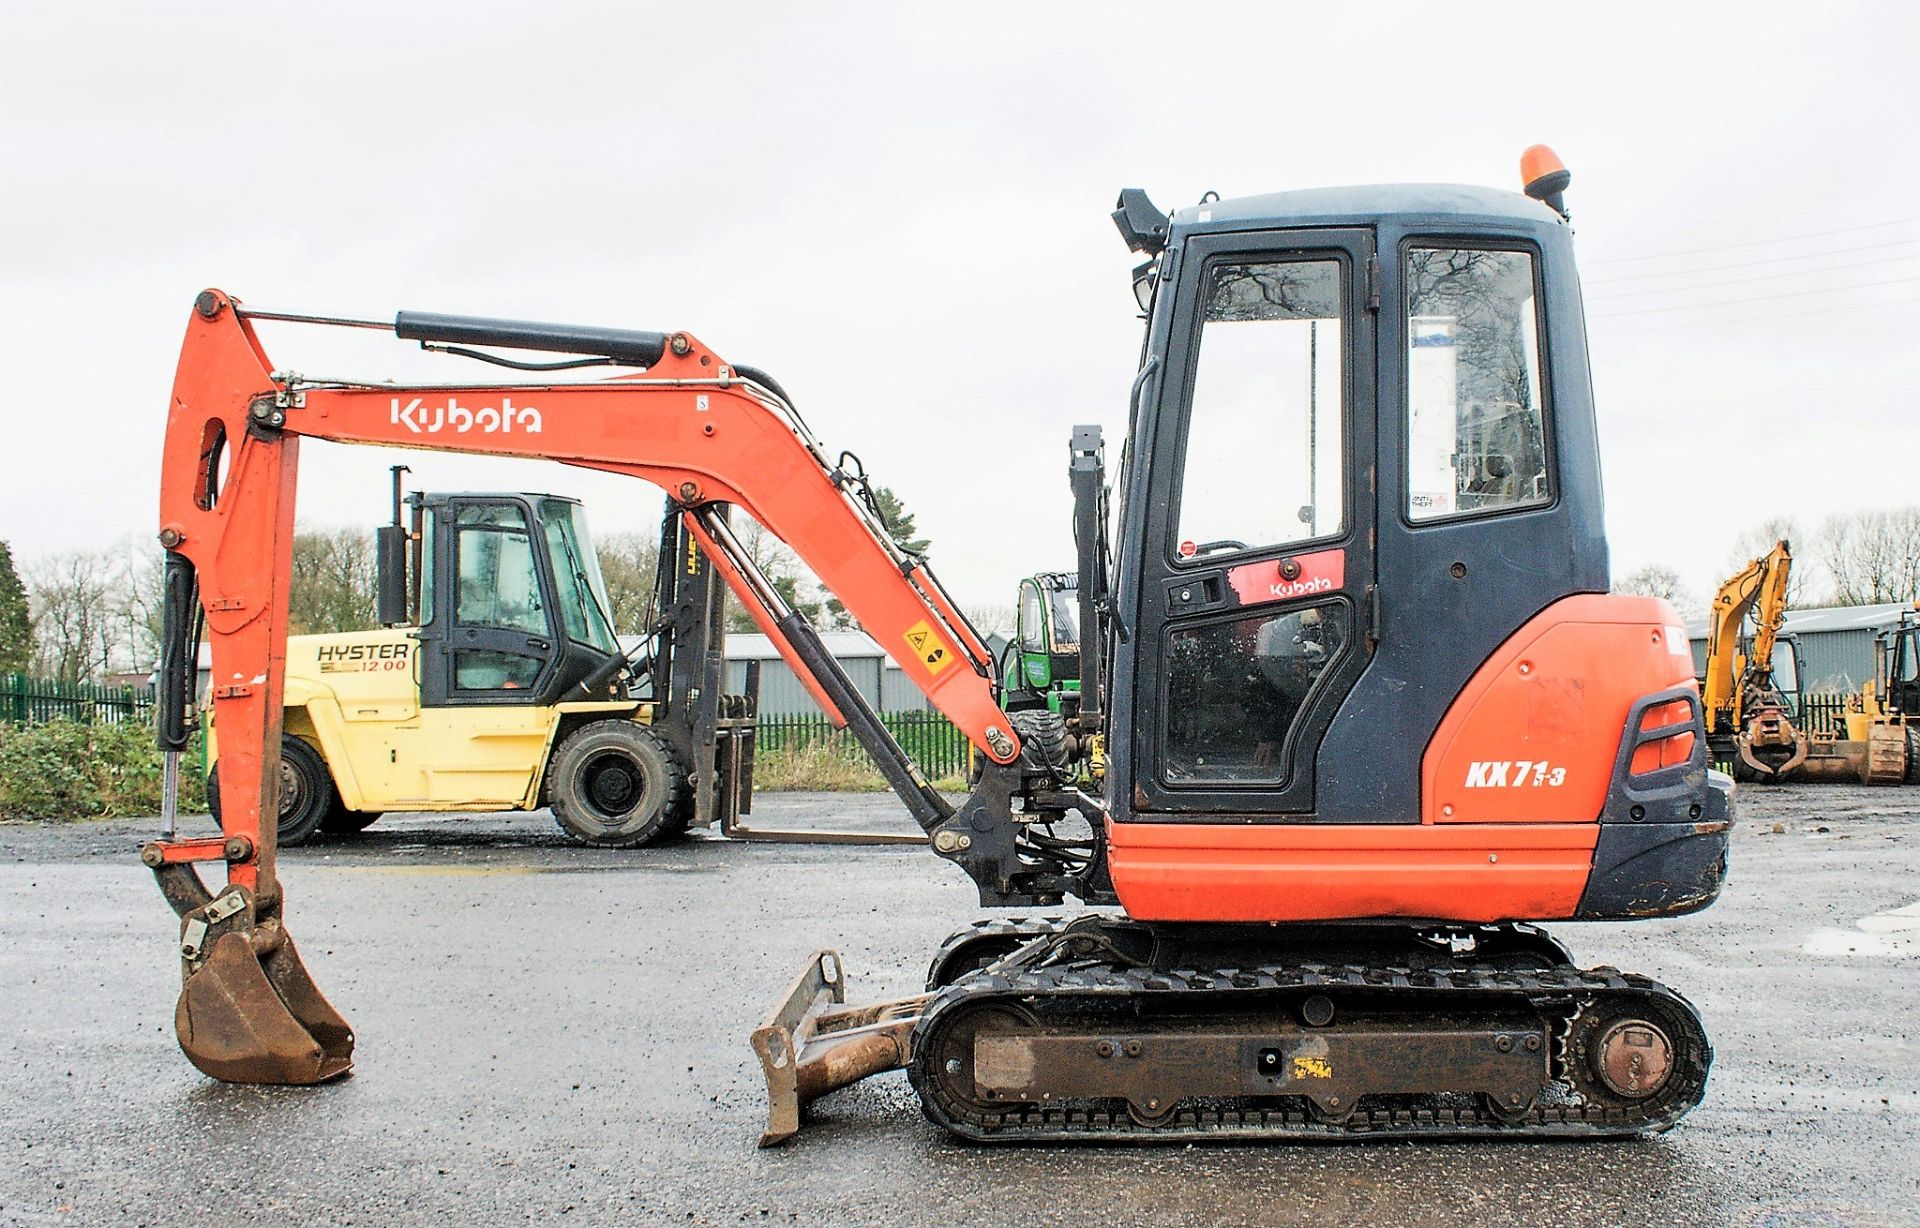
<point x="1362" y="701"/>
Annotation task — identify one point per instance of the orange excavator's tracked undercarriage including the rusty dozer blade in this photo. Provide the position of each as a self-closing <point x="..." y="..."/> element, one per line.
<point x="1103" y="1029"/>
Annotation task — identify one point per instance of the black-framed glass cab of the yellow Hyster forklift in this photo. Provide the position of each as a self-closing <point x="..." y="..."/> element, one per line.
<point x="512" y="607"/>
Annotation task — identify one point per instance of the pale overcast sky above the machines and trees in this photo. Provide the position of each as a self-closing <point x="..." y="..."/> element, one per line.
<point x="901" y="212"/>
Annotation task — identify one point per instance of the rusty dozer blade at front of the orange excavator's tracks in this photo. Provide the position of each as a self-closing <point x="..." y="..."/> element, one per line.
<point x="815" y="1045"/>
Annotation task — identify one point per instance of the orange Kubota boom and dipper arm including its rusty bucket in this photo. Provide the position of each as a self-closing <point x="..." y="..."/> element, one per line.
<point x="696" y="427"/>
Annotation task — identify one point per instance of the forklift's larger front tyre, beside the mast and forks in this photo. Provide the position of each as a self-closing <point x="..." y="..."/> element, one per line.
<point x="617" y="786"/>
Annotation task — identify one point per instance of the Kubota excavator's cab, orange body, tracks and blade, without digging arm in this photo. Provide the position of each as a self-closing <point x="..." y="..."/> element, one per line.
<point x="1368" y="707"/>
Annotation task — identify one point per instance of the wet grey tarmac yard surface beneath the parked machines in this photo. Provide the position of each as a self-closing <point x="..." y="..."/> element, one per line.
<point x="560" y="1035"/>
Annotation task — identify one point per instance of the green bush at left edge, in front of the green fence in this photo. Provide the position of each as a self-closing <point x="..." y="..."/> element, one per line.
<point x="66" y="770"/>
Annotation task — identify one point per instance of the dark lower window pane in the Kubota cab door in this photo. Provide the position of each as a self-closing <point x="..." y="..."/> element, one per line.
<point x="1236" y="692"/>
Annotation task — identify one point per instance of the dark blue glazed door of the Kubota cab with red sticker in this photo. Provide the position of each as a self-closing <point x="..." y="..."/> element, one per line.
<point x="1257" y="571"/>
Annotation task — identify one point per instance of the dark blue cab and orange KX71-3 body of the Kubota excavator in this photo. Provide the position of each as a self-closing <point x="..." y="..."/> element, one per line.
<point x="1360" y="580"/>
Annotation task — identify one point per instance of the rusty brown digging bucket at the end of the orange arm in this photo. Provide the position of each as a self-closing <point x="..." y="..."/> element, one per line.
<point x="249" y="1010"/>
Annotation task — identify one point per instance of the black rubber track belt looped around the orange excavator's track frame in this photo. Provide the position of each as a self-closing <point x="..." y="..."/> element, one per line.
<point x="1560" y="995"/>
